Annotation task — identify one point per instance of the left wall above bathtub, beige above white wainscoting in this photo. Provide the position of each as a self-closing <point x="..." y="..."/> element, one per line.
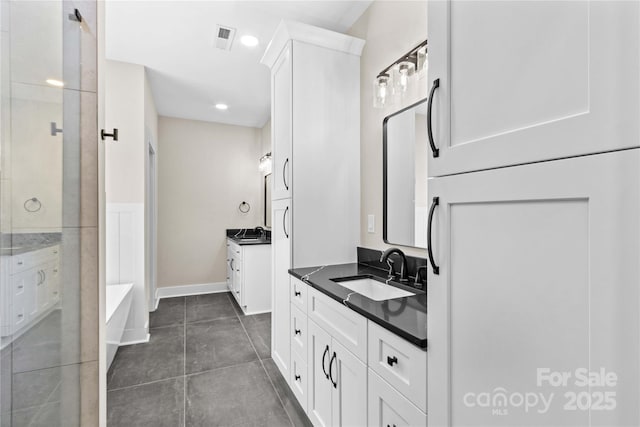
<point x="130" y="108"/>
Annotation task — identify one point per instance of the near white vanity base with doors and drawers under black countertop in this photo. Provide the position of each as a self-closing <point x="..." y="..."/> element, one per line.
<point x="341" y="351"/>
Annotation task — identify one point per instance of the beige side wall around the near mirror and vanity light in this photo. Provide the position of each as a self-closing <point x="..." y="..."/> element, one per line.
<point x="391" y="28"/>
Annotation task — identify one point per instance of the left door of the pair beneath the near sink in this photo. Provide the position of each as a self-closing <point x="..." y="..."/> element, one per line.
<point x="319" y="385"/>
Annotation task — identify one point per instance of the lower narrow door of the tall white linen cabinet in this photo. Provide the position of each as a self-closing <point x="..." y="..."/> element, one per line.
<point x="280" y="316"/>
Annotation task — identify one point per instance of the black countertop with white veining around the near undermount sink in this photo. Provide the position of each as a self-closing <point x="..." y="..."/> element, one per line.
<point x="406" y="317"/>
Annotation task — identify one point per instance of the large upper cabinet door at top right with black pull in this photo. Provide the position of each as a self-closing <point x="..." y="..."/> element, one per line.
<point x="510" y="93"/>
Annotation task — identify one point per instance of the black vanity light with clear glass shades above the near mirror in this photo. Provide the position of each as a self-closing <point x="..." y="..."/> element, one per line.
<point x="397" y="77"/>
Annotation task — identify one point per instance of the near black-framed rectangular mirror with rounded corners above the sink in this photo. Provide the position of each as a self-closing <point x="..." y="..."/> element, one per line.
<point x="405" y="176"/>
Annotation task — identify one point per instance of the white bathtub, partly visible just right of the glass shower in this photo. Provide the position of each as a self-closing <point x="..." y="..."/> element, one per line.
<point x="118" y="305"/>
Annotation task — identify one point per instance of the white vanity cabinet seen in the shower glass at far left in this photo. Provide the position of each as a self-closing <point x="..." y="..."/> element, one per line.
<point x="31" y="288"/>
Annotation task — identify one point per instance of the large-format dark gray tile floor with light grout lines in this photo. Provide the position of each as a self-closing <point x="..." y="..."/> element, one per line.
<point x="206" y="364"/>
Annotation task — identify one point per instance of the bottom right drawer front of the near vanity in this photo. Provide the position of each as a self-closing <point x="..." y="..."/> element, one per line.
<point x="388" y="408"/>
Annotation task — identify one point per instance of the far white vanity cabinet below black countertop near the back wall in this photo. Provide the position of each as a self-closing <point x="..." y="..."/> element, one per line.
<point x="247" y="268"/>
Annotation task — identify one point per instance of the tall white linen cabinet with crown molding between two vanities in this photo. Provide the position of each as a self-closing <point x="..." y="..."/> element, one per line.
<point x="315" y="122"/>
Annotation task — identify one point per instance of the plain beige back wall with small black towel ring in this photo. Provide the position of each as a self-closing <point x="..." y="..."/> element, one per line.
<point x="206" y="170"/>
